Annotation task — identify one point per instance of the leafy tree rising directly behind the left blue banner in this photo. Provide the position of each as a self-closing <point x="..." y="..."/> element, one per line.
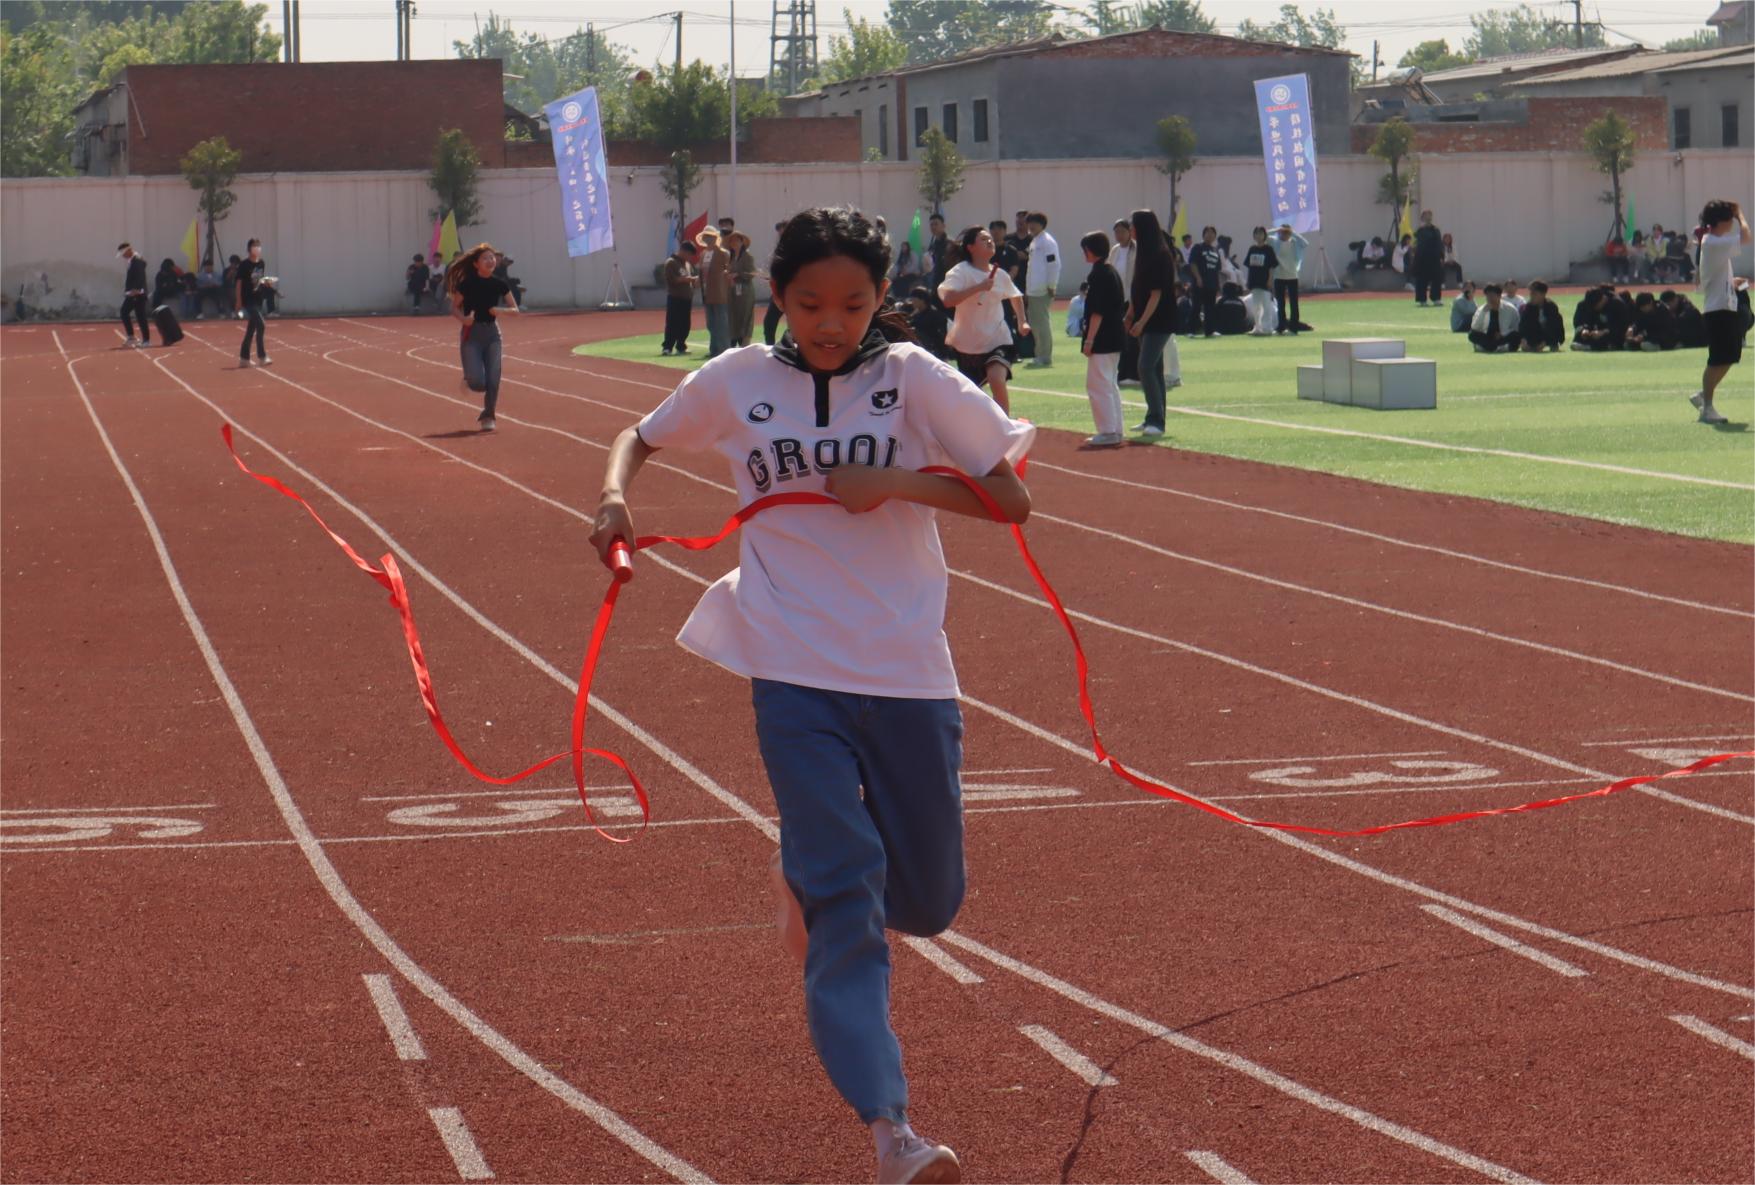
<point x="543" y="69"/>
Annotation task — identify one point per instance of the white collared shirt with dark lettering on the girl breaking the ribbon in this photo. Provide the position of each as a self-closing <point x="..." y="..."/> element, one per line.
<point x="822" y="598"/>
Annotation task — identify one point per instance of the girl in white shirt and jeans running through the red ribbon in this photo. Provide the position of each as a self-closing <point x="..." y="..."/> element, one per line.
<point x="838" y="619"/>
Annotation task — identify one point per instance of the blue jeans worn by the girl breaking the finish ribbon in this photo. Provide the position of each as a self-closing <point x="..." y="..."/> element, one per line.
<point x="891" y="858"/>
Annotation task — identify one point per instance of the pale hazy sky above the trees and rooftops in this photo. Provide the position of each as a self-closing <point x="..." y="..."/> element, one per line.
<point x="341" y="31"/>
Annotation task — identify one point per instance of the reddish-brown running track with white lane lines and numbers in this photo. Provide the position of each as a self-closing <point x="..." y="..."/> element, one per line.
<point x="226" y="870"/>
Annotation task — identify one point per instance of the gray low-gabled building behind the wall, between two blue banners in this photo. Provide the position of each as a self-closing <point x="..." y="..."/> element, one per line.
<point x="1103" y="97"/>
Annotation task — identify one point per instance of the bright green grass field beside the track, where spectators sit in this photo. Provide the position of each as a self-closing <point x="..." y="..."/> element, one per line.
<point x="1577" y="422"/>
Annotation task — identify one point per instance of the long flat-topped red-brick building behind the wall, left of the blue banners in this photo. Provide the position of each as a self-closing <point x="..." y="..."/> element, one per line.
<point x="306" y="117"/>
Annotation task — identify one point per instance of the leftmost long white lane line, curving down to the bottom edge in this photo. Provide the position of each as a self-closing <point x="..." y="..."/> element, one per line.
<point x="326" y="870"/>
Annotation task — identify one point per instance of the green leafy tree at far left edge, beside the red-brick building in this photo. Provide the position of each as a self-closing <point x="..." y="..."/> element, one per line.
<point x="38" y="96"/>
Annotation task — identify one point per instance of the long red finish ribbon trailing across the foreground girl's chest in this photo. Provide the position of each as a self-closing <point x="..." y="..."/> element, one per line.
<point x="390" y="577"/>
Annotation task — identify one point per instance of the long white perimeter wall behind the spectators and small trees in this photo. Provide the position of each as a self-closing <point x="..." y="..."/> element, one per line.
<point x="341" y="241"/>
